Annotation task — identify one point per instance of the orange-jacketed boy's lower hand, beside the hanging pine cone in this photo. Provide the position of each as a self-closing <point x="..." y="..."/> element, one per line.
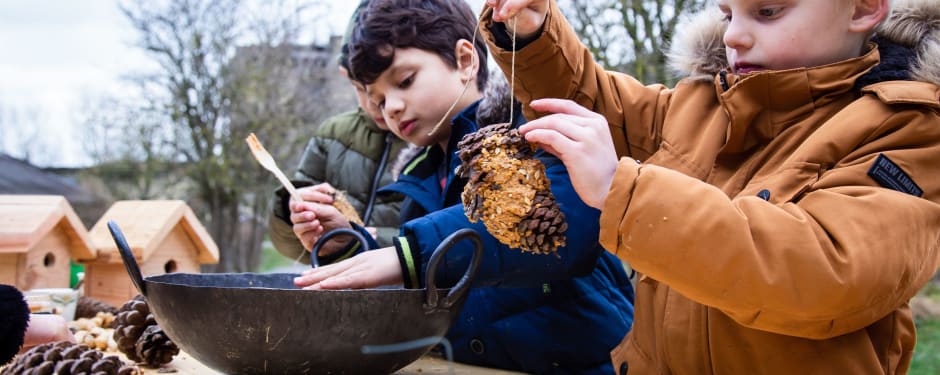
<point x="581" y="139"/>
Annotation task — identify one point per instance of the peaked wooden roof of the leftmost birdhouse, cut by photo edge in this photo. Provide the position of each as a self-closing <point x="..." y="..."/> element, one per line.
<point x="27" y="219"/>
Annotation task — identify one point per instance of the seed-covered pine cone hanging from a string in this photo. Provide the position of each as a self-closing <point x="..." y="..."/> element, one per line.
<point x="509" y="191"/>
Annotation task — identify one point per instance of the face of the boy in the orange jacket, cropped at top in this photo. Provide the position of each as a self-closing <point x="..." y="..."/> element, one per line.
<point x="788" y="34"/>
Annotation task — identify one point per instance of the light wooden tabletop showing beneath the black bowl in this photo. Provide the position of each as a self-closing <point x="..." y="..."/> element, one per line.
<point x="428" y="364"/>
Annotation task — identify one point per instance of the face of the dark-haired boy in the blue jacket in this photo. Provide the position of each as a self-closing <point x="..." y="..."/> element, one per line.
<point x="416" y="92"/>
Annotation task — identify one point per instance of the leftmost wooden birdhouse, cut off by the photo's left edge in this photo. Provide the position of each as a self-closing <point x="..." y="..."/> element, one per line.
<point x="39" y="234"/>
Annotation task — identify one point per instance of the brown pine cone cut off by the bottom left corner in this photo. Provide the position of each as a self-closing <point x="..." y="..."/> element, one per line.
<point x="64" y="357"/>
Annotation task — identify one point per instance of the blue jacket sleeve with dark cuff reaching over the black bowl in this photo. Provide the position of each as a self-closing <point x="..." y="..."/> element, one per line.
<point x="501" y="265"/>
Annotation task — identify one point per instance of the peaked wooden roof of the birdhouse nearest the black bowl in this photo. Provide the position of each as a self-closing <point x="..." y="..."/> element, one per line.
<point x="146" y="223"/>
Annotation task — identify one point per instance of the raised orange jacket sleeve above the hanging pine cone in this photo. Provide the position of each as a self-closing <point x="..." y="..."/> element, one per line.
<point x="558" y="53"/>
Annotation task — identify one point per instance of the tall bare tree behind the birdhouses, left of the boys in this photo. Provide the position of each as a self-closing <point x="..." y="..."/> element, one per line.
<point x="189" y="125"/>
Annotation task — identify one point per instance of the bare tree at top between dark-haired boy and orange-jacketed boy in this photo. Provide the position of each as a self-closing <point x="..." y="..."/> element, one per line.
<point x="630" y="35"/>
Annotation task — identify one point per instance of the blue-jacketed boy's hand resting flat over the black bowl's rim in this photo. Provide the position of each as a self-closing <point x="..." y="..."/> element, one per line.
<point x="367" y="270"/>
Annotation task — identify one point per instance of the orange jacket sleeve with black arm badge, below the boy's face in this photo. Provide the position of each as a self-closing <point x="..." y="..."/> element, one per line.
<point x="840" y="254"/>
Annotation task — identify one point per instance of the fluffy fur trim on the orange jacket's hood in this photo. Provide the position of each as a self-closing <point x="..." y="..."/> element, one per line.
<point x="697" y="51"/>
